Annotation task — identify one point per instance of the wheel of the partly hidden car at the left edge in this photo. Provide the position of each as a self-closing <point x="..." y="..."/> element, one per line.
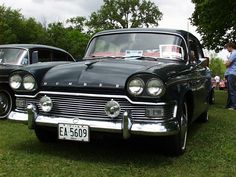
<point x="5" y="103"/>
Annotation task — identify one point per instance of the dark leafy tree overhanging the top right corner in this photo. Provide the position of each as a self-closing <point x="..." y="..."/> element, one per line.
<point x="215" y="21"/>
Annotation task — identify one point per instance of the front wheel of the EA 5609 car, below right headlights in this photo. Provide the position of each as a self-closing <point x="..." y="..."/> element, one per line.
<point x="179" y="141"/>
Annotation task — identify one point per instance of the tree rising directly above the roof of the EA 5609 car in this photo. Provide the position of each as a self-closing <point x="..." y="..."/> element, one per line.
<point x="125" y="14"/>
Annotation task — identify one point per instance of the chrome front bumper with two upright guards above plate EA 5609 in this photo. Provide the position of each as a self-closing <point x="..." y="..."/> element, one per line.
<point x="126" y="127"/>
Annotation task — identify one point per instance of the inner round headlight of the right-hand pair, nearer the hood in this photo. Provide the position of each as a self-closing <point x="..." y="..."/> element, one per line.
<point x="136" y="86"/>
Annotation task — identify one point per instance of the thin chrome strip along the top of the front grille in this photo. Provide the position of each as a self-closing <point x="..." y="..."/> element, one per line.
<point x="91" y="95"/>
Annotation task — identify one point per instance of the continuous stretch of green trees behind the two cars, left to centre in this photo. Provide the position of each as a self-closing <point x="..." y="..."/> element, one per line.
<point x="75" y="35"/>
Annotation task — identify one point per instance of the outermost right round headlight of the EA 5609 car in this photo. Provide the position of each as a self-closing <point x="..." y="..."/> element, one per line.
<point x="155" y="87"/>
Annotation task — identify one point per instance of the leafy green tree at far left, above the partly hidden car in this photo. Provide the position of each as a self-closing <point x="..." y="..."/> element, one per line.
<point x="16" y="29"/>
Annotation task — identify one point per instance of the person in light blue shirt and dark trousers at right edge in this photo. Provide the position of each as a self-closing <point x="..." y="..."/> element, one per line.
<point x="230" y="75"/>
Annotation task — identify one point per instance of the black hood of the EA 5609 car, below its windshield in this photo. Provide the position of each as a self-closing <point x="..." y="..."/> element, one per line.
<point x="103" y="73"/>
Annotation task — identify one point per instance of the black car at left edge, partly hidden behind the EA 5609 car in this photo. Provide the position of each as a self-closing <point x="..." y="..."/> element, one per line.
<point x="14" y="56"/>
